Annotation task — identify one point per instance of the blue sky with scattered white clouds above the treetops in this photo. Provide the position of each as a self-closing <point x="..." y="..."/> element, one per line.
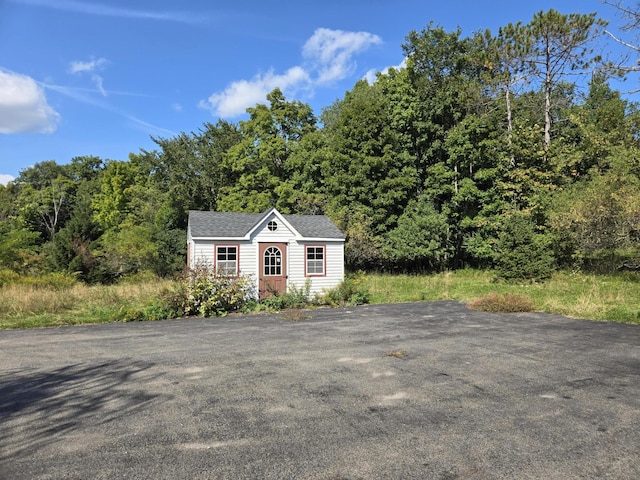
<point x="84" y="77"/>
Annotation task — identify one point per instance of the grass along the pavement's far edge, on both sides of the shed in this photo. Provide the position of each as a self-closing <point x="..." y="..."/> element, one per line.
<point x="597" y="297"/>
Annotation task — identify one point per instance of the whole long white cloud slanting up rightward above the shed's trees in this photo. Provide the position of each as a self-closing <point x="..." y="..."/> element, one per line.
<point x="328" y="57"/>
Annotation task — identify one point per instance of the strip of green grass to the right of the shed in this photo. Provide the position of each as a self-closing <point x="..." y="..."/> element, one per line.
<point x="595" y="297"/>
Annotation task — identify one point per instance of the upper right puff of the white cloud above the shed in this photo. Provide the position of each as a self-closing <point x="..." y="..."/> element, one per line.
<point x="332" y="52"/>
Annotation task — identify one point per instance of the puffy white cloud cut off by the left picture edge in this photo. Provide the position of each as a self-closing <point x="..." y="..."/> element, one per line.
<point x="23" y="106"/>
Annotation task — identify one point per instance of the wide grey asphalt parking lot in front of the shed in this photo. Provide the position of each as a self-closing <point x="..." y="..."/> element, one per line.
<point x="422" y="390"/>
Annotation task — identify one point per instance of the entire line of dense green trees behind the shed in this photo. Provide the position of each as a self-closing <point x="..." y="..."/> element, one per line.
<point x="505" y="150"/>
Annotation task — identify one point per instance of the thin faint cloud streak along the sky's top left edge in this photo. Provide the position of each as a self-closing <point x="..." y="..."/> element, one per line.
<point x="110" y="11"/>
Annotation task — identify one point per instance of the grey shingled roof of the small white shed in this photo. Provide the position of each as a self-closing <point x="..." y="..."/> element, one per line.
<point x="236" y="225"/>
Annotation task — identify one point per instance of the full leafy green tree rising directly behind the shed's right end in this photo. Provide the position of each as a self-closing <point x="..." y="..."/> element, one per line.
<point x="366" y="168"/>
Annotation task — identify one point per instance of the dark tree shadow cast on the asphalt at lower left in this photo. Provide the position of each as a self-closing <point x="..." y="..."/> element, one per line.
<point x="39" y="408"/>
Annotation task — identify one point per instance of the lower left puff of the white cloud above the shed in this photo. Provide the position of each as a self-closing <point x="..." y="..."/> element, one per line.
<point x="240" y="95"/>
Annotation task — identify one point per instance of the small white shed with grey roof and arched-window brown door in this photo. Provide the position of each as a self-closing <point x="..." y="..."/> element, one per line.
<point x="279" y="251"/>
